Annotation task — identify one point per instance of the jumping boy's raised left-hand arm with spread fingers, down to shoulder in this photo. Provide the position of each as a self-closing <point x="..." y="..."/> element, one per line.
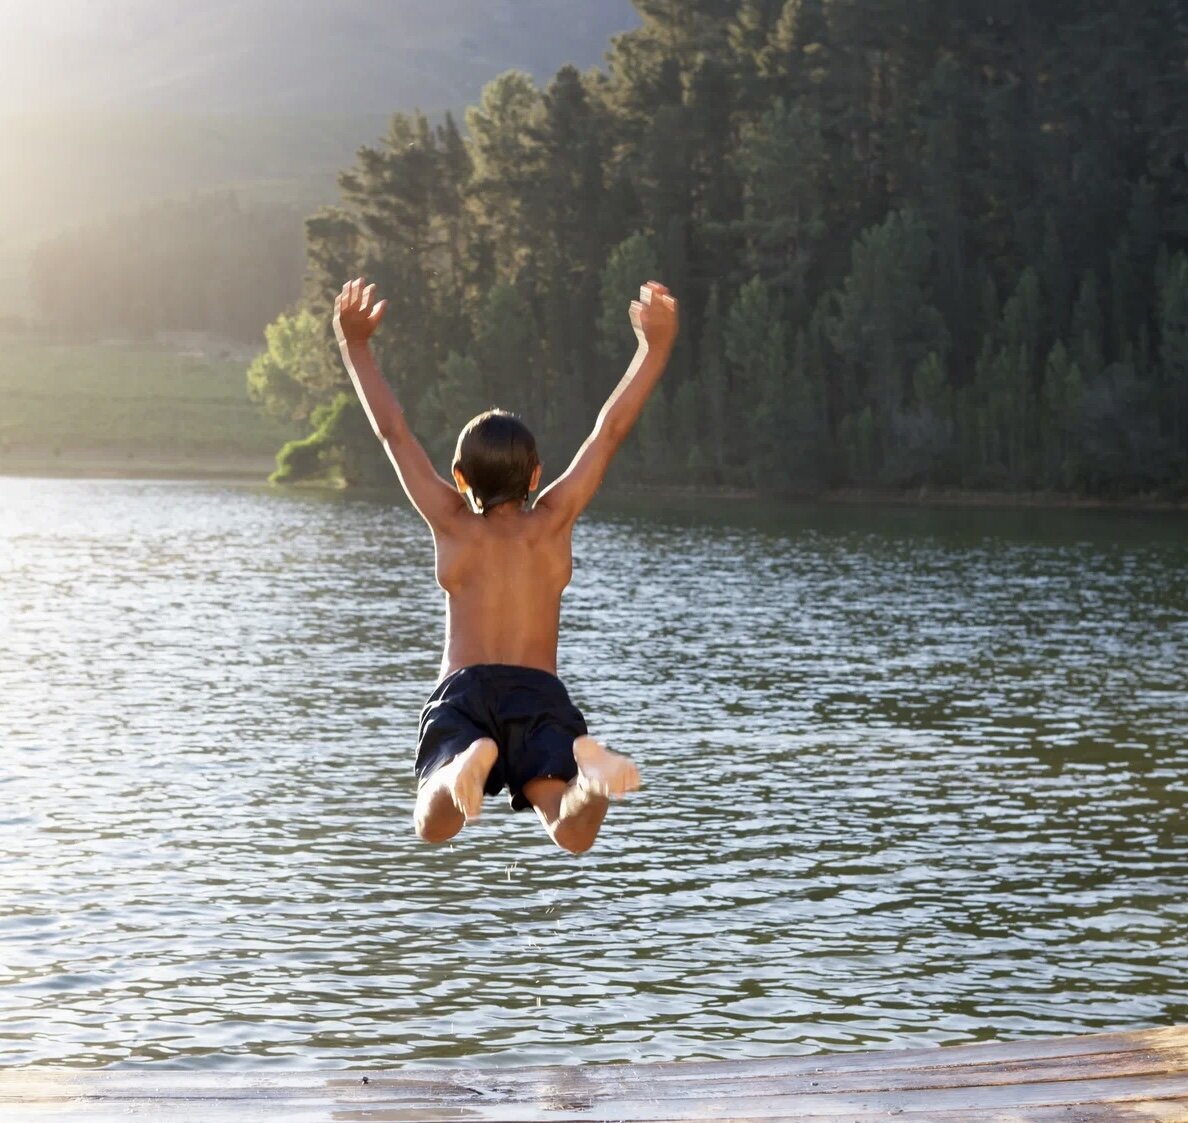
<point x="357" y="314"/>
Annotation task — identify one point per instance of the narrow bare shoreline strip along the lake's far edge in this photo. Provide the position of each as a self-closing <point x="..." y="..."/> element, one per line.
<point x="247" y="469"/>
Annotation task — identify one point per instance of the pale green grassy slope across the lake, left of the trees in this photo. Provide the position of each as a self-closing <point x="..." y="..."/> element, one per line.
<point x="111" y="409"/>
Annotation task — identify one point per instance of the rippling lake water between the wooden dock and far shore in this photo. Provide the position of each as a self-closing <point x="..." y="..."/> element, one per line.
<point x="911" y="778"/>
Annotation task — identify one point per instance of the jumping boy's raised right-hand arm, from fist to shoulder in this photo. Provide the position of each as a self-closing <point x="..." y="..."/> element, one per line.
<point x="655" y="319"/>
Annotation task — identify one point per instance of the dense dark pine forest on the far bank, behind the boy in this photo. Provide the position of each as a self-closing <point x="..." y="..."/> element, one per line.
<point x="918" y="243"/>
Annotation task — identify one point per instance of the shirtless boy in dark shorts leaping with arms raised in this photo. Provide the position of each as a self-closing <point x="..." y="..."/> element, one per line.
<point x="500" y="717"/>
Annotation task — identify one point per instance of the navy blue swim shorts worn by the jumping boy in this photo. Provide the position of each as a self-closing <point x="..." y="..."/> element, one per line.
<point x="525" y="711"/>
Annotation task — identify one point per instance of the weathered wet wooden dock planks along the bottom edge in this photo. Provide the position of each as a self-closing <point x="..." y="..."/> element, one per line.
<point x="1103" y="1078"/>
